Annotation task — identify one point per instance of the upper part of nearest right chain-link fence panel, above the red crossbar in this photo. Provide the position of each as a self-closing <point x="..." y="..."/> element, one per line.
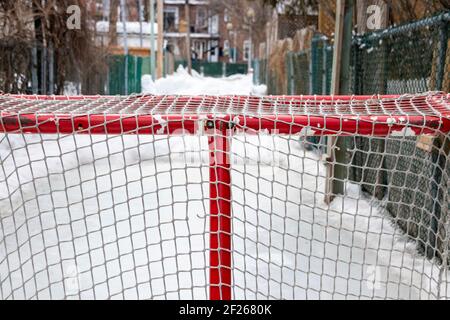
<point x="406" y="59"/>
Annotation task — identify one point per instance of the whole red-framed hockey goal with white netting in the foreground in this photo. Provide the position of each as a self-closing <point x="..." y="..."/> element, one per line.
<point x="173" y="197"/>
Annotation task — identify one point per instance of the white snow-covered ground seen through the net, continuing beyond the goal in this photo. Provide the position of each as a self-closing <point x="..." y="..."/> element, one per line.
<point x="127" y="217"/>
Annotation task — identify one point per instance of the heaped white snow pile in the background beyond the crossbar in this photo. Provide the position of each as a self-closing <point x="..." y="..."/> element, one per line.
<point x="184" y="84"/>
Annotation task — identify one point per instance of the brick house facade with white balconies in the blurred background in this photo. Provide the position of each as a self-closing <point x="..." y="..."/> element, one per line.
<point x="211" y="38"/>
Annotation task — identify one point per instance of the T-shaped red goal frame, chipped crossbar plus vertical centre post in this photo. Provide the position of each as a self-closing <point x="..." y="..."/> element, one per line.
<point x="219" y="118"/>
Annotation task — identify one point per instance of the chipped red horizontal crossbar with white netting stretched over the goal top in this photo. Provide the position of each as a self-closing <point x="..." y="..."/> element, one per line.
<point x="166" y="115"/>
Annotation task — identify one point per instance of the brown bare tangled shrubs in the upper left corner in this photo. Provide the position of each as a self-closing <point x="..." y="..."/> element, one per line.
<point x="27" y="26"/>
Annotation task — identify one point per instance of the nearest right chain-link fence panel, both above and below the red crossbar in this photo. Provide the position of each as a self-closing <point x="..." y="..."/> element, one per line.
<point x="411" y="58"/>
